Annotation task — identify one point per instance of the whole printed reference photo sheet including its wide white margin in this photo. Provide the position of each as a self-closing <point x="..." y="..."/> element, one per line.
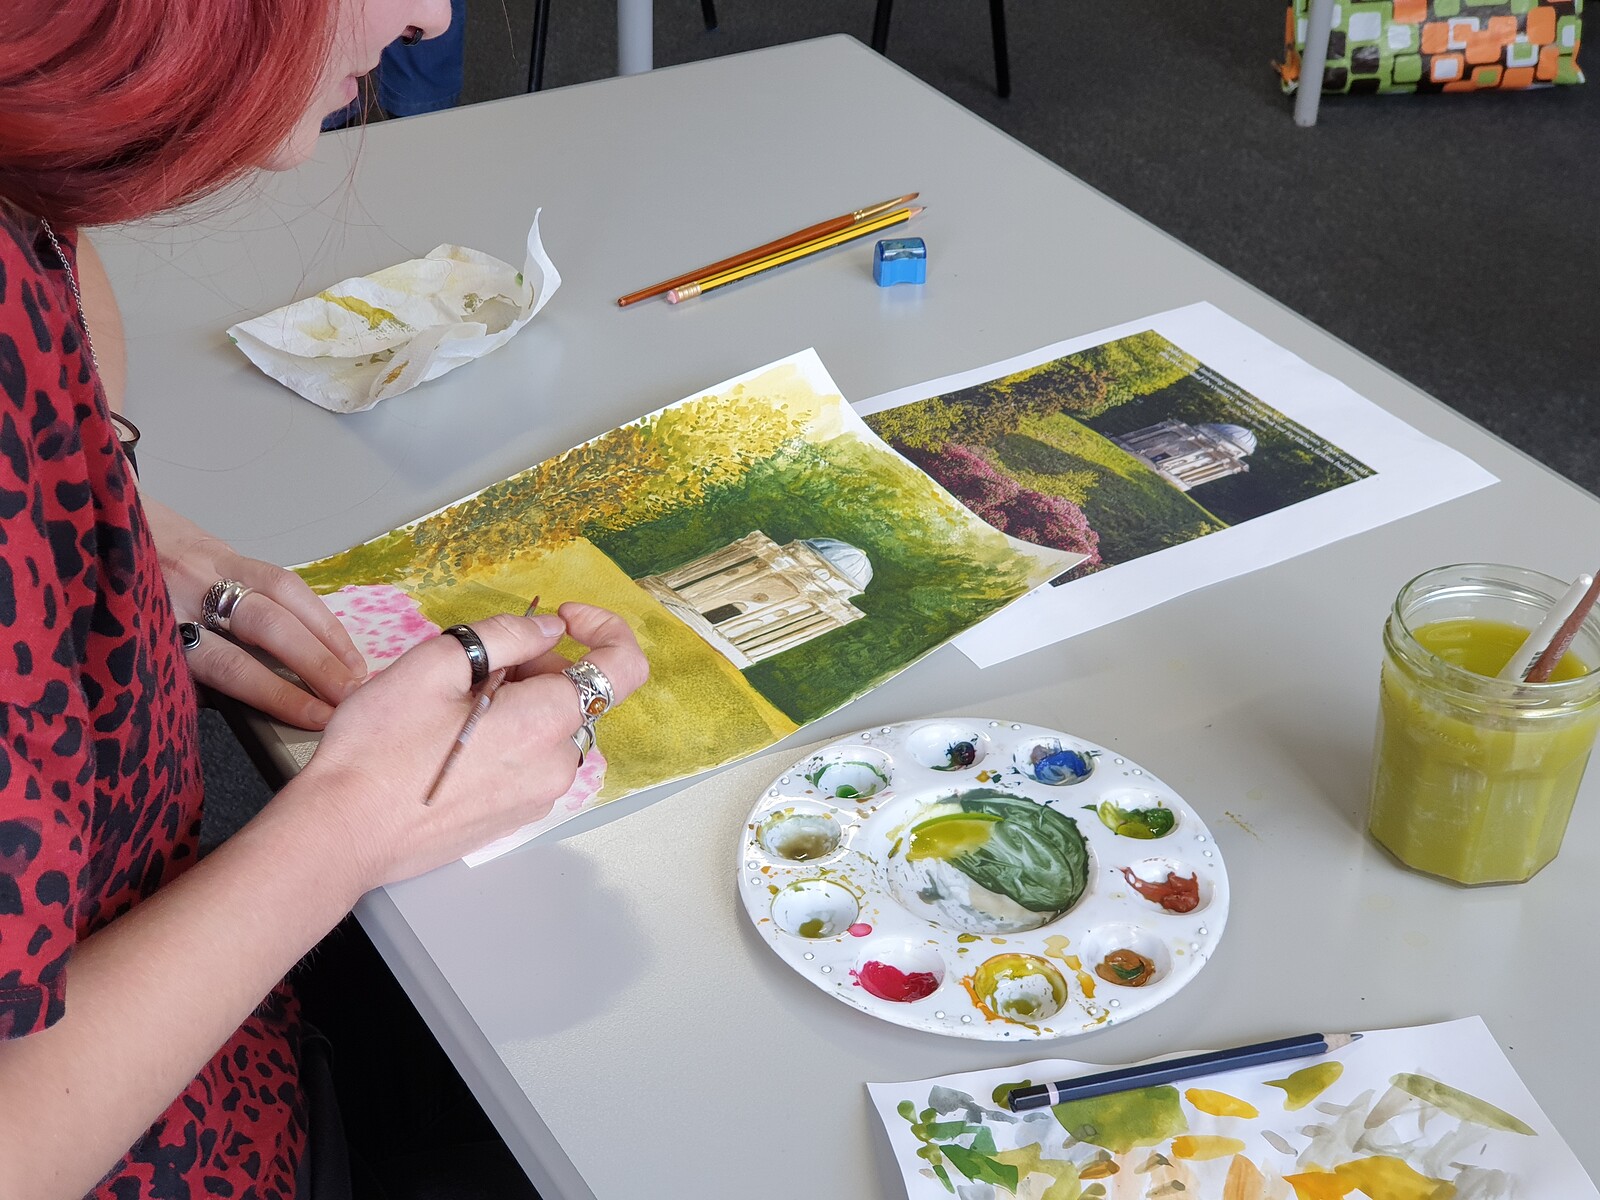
<point x="1172" y="452"/>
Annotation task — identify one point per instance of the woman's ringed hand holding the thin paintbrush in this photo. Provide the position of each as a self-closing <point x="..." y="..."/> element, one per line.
<point x="386" y="745"/>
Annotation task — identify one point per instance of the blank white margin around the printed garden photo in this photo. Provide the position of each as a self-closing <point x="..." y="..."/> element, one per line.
<point x="1412" y="473"/>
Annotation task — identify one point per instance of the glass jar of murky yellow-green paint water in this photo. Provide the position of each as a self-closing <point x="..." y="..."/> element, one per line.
<point x="1474" y="778"/>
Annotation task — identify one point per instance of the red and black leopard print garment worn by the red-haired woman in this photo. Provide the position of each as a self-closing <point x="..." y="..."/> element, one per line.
<point x="100" y="772"/>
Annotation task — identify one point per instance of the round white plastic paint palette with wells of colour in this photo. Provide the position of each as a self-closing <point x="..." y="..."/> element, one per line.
<point x="983" y="879"/>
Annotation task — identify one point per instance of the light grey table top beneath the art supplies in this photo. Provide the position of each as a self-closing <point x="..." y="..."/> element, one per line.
<point x="601" y="990"/>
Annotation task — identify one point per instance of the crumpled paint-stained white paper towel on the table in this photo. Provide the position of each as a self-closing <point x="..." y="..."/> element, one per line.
<point x="380" y="335"/>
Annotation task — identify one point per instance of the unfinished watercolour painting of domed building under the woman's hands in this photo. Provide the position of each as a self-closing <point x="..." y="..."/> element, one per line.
<point x="774" y="558"/>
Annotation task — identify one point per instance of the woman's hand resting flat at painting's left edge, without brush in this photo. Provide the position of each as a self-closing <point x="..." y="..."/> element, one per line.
<point x="282" y="617"/>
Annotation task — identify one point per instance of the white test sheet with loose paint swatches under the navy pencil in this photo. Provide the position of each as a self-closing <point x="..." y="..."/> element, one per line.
<point x="1433" y="1113"/>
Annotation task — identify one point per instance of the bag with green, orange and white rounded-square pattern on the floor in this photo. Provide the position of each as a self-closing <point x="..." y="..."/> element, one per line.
<point x="1442" y="46"/>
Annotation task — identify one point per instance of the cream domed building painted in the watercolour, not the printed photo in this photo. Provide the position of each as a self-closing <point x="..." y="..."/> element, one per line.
<point x="756" y="599"/>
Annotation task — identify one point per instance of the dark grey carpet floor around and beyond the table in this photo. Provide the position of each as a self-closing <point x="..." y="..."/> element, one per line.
<point x="1444" y="236"/>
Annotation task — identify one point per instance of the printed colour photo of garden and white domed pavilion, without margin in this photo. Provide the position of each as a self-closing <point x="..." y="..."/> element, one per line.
<point x="1116" y="452"/>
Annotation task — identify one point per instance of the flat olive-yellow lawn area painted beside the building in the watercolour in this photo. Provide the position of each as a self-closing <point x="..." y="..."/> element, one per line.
<point x="697" y="710"/>
